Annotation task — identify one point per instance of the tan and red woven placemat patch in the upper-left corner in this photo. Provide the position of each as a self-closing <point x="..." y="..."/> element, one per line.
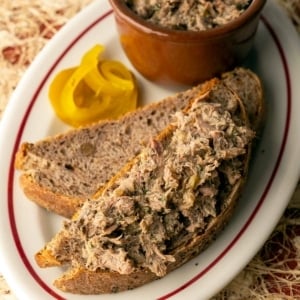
<point x="25" y="27"/>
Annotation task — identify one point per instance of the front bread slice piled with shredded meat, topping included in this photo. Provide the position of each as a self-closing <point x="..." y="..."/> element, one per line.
<point x="164" y="206"/>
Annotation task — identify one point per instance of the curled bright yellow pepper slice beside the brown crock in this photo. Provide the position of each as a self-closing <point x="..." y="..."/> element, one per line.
<point x="96" y="89"/>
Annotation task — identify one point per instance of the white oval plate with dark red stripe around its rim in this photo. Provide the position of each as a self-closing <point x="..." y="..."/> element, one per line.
<point x="274" y="172"/>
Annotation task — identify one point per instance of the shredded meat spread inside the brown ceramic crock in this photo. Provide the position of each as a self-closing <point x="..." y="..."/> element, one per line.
<point x="192" y="15"/>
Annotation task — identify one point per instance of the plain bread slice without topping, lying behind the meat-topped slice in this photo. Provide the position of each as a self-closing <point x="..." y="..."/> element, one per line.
<point x="60" y="172"/>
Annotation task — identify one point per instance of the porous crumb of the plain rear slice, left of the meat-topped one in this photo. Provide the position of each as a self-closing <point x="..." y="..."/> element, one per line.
<point x="80" y="161"/>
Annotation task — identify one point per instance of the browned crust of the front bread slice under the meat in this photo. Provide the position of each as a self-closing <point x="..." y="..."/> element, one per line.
<point x="84" y="281"/>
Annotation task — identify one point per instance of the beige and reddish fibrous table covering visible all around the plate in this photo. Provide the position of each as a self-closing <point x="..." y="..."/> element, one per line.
<point x="27" y="25"/>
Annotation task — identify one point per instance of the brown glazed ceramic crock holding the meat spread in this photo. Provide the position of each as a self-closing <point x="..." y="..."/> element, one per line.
<point x="185" y="57"/>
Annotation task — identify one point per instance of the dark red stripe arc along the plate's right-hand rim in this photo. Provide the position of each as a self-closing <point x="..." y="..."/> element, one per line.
<point x="269" y="184"/>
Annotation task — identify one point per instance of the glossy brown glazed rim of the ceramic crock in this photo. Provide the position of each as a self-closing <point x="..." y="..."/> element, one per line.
<point x="142" y="25"/>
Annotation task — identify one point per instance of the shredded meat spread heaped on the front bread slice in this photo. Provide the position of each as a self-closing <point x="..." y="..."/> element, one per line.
<point x="170" y="194"/>
